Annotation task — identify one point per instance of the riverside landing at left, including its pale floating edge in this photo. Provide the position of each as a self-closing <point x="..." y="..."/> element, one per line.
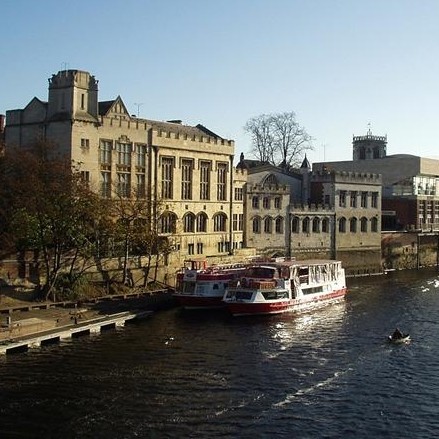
<point x="33" y="324"/>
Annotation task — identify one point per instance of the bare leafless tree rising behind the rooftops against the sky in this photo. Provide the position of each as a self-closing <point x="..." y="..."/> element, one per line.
<point x="278" y="139"/>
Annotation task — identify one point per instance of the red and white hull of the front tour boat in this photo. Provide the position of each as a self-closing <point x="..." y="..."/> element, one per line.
<point x="242" y="308"/>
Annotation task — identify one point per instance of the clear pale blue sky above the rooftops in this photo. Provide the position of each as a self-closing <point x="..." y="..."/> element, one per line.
<point x="338" y="64"/>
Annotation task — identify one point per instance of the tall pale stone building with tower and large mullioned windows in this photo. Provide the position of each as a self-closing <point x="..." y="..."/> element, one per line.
<point x="188" y="168"/>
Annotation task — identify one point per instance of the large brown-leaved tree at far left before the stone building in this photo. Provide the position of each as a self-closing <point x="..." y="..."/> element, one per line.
<point x="47" y="207"/>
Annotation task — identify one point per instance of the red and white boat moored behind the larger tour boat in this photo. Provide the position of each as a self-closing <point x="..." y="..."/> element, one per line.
<point x="201" y="287"/>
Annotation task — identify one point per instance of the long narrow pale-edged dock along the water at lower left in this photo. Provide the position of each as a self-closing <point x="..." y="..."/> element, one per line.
<point x="50" y="336"/>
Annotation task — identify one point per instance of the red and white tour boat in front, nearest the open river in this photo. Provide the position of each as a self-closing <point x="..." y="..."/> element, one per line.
<point x="286" y="285"/>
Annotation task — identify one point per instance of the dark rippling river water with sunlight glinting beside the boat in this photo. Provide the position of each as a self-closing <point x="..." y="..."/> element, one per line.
<point x="325" y="374"/>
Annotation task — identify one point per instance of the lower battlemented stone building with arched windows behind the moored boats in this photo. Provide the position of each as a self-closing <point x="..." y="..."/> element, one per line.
<point x="307" y="214"/>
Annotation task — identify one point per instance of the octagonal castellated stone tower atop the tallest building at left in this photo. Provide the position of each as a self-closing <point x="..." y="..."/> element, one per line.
<point x="73" y="94"/>
